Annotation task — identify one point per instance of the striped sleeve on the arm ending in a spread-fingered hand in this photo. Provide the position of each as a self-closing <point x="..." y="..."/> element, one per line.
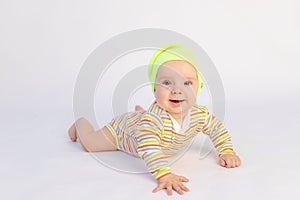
<point x="148" y="138"/>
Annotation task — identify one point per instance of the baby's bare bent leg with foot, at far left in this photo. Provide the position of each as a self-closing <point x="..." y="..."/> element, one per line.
<point x="91" y="140"/>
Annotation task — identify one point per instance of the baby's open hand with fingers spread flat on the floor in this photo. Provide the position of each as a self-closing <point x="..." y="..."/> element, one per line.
<point x="172" y="182"/>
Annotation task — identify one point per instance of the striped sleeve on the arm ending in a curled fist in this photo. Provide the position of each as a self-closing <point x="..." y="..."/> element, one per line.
<point x="218" y="134"/>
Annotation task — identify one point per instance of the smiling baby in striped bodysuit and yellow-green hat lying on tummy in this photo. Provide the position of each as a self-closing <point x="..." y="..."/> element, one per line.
<point x="169" y="124"/>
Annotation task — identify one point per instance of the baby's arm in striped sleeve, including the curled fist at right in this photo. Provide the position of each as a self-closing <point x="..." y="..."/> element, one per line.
<point x="222" y="141"/>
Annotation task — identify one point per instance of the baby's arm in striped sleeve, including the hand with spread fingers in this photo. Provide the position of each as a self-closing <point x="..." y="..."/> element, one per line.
<point x="148" y="139"/>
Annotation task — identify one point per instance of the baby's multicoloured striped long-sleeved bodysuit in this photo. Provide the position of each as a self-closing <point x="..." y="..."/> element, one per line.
<point x="151" y="136"/>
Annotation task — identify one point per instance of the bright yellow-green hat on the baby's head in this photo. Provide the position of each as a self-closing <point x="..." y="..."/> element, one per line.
<point x="169" y="53"/>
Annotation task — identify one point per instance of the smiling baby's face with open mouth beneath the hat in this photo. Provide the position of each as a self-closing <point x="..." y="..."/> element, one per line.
<point x="176" y="87"/>
